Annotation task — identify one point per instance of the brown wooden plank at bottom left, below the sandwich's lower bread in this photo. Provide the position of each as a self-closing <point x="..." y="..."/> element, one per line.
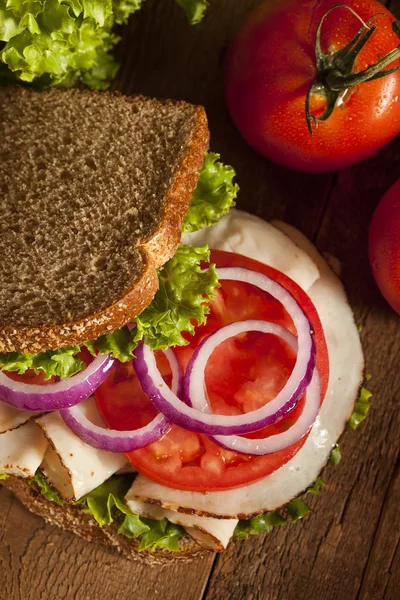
<point x="40" y="561"/>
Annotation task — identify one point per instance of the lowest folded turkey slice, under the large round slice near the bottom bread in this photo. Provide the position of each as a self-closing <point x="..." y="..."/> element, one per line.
<point x="211" y="533"/>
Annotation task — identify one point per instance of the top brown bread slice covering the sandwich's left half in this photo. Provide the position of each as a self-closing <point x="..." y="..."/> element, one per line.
<point x="94" y="188"/>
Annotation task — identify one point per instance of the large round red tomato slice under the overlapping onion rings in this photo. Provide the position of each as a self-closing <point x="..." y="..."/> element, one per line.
<point x="243" y="374"/>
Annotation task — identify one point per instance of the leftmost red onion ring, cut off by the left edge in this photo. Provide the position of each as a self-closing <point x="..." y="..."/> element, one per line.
<point x="59" y="395"/>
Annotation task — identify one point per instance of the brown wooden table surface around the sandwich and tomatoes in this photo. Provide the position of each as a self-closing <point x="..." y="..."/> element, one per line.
<point x="348" y="547"/>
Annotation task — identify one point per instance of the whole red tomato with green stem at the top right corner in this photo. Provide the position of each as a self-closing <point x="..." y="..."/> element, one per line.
<point x="271" y="67"/>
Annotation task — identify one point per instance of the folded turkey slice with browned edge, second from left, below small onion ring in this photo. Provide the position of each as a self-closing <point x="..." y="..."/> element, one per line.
<point x="73" y="467"/>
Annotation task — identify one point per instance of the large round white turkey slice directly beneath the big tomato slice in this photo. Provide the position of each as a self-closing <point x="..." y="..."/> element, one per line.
<point x="346" y="373"/>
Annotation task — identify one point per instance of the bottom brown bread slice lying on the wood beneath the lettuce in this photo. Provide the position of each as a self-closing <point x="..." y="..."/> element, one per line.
<point x="71" y="518"/>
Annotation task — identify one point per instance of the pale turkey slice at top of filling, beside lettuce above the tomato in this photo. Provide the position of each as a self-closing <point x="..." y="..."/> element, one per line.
<point x="249" y="235"/>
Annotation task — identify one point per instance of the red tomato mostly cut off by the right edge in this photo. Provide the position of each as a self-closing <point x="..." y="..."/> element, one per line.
<point x="384" y="246"/>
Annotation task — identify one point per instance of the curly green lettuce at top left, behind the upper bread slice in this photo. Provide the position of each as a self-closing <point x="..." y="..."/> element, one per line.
<point x="62" y="42"/>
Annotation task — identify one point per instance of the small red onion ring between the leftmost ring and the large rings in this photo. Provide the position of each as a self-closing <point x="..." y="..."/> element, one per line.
<point x="112" y="440"/>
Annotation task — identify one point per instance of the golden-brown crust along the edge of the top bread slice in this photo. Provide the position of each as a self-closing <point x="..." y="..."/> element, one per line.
<point x="154" y="251"/>
